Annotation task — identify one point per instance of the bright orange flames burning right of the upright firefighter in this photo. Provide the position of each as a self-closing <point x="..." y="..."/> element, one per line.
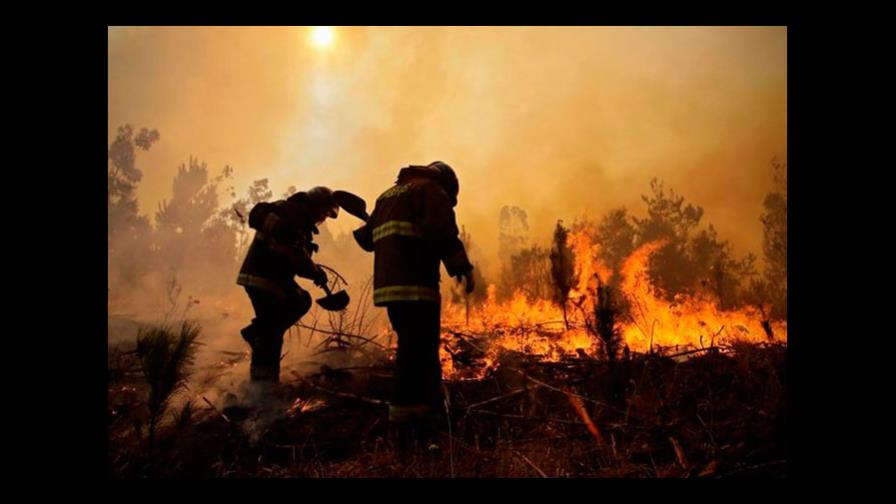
<point x="536" y="327"/>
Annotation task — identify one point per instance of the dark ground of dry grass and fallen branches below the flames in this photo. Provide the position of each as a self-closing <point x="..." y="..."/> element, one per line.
<point x="718" y="413"/>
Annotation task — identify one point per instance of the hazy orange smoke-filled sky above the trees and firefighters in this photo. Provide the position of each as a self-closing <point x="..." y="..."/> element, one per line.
<point x="557" y="120"/>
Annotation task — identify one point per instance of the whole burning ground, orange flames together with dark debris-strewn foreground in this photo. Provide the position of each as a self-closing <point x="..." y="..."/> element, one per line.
<point x="622" y="382"/>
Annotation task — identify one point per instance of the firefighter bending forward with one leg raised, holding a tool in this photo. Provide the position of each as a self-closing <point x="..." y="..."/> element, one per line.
<point x="282" y="249"/>
